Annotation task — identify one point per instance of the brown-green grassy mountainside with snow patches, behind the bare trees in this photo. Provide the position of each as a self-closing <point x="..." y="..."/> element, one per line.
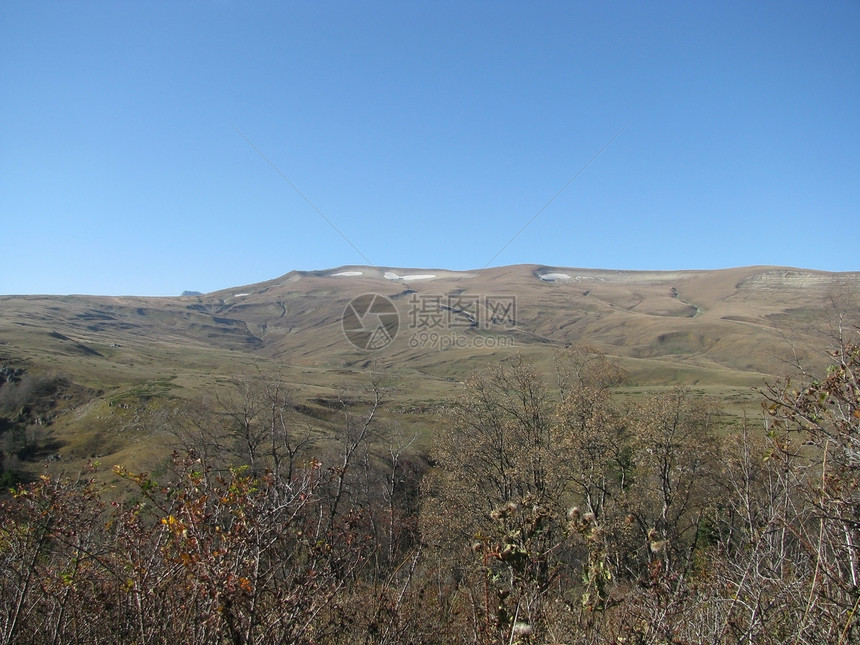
<point x="721" y="331"/>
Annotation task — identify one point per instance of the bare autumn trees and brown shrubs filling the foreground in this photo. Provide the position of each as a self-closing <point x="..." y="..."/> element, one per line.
<point x="547" y="511"/>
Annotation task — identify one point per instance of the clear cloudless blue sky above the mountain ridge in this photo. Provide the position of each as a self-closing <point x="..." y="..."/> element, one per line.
<point x="427" y="133"/>
